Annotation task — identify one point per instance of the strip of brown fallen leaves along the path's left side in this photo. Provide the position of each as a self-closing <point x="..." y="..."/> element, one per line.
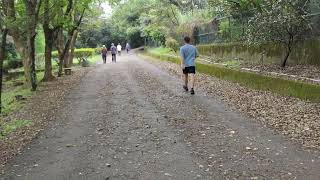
<point x="41" y="109"/>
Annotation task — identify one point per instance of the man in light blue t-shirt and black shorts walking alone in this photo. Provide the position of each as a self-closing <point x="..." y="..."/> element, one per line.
<point x="188" y="53"/>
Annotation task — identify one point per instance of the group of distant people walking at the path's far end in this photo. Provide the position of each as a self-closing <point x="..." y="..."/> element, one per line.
<point x="114" y="51"/>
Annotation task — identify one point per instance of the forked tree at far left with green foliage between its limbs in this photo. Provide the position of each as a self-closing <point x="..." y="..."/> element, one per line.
<point x="22" y="19"/>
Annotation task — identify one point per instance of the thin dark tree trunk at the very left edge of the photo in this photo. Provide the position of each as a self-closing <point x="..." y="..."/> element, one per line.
<point x="2" y="57"/>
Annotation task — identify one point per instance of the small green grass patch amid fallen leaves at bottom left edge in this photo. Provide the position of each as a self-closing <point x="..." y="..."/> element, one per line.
<point x="7" y="128"/>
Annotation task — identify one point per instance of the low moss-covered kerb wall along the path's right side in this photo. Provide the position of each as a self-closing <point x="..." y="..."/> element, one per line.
<point x="277" y="85"/>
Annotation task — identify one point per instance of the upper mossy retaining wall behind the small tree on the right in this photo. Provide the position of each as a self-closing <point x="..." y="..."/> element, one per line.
<point x="307" y="52"/>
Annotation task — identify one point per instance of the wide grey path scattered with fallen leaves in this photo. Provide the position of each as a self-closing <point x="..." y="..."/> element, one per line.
<point x="131" y="120"/>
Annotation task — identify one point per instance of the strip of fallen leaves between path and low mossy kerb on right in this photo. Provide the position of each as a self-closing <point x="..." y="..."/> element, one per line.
<point x="298" y="120"/>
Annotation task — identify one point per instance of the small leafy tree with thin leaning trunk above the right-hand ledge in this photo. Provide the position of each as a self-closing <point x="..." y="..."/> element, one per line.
<point x="284" y="22"/>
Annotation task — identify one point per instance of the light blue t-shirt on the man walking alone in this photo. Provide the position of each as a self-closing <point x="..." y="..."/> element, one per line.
<point x="189" y="53"/>
